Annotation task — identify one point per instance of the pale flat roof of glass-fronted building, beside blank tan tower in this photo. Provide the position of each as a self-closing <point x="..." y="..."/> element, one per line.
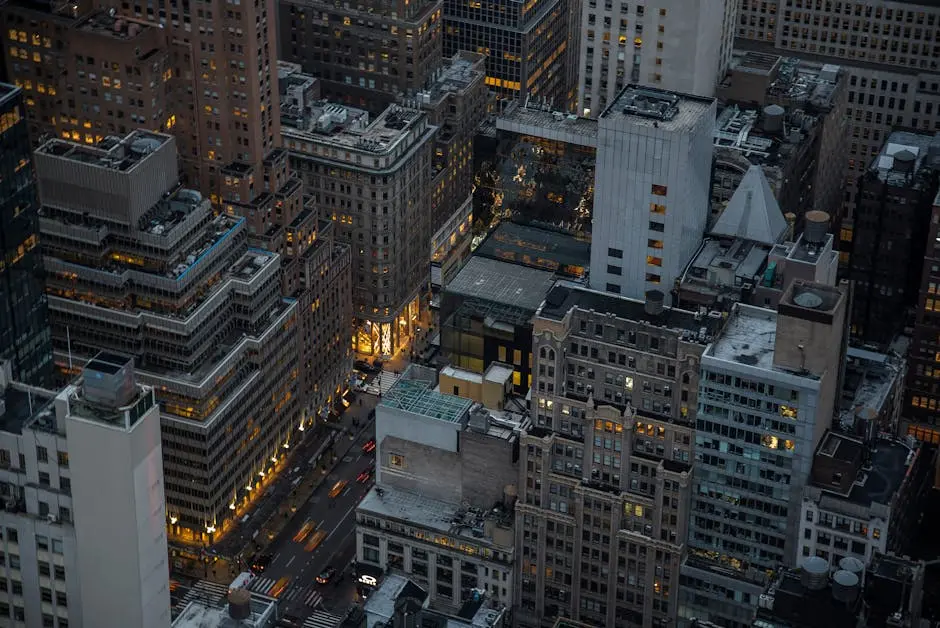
<point x="748" y="338"/>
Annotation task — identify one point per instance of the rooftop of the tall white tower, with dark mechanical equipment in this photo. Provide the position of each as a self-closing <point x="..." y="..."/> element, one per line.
<point x="651" y="107"/>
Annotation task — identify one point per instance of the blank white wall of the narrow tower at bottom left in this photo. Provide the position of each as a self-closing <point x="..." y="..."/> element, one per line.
<point x="117" y="485"/>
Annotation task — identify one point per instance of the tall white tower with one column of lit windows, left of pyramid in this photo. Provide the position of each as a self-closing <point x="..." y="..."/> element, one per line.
<point x="652" y="189"/>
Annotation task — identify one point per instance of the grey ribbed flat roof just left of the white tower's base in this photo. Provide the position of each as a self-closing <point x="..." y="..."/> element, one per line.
<point x="502" y="282"/>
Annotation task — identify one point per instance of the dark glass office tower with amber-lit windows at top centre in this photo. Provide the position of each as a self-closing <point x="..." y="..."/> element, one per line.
<point x="525" y="44"/>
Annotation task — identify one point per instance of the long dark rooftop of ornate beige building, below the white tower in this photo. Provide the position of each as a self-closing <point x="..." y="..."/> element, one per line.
<point x="565" y="296"/>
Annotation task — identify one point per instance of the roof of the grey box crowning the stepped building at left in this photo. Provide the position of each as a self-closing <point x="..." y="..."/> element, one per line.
<point x="113" y="153"/>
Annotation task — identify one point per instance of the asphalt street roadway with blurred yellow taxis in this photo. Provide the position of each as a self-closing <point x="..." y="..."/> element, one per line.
<point x="293" y="570"/>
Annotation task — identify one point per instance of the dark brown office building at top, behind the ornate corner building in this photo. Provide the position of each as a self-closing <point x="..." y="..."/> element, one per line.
<point x="367" y="56"/>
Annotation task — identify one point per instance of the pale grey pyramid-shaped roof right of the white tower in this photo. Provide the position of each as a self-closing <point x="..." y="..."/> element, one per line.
<point x="753" y="212"/>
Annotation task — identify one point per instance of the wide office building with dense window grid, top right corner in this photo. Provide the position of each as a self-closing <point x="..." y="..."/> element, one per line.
<point x="889" y="51"/>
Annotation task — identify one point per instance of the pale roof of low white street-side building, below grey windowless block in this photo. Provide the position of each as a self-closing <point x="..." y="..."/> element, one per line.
<point x="432" y="514"/>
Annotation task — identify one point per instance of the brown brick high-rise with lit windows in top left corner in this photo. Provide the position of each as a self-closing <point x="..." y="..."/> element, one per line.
<point x="168" y="67"/>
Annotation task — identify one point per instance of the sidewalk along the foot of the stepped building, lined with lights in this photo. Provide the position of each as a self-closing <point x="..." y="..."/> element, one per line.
<point x="325" y="447"/>
